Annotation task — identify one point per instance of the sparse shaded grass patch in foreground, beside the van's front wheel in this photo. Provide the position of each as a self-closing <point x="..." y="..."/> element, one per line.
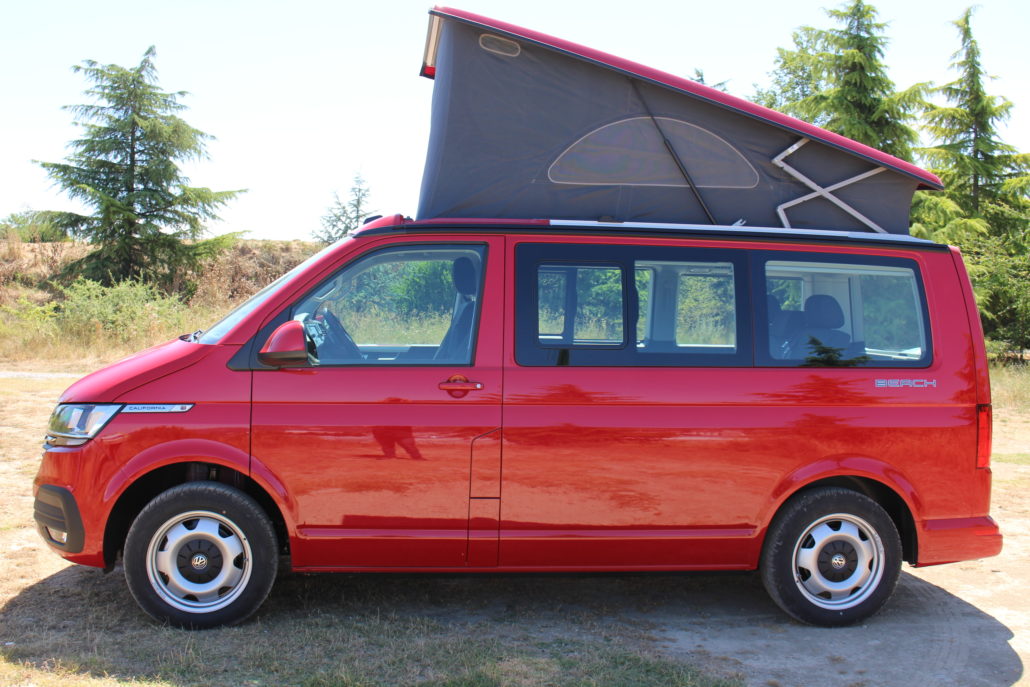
<point x="329" y="632"/>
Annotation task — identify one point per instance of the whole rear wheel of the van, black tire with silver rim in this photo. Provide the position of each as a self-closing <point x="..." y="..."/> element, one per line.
<point x="832" y="558"/>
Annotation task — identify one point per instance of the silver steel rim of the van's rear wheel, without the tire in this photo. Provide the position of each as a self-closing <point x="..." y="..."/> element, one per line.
<point x="839" y="562"/>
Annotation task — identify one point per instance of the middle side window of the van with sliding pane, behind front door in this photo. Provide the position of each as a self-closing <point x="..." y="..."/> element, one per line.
<point x="596" y="305"/>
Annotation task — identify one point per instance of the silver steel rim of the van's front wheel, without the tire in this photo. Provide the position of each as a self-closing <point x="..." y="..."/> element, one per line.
<point x="199" y="562"/>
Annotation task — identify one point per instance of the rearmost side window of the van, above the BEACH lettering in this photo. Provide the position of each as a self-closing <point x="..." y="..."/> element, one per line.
<point x="843" y="313"/>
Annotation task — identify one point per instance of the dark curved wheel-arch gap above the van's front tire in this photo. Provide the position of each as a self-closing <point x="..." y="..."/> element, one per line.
<point x="147" y="487"/>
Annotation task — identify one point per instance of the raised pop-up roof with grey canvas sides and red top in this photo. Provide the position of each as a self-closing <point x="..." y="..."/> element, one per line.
<point x="529" y="126"/>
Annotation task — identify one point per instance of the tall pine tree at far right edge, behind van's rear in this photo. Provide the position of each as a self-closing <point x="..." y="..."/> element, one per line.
<point x="985" y="208"/>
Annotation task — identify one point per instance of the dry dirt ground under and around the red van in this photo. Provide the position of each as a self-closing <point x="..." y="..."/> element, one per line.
<point x="963" y="625"/>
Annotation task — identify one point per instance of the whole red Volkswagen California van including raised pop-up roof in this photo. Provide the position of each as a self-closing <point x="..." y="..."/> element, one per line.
<point x="723" y="353"/>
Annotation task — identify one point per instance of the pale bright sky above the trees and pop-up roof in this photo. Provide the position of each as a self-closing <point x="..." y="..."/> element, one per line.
<point x="301" y="96"/>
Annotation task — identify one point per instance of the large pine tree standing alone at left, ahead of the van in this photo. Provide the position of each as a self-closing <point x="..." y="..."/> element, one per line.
<point x="147" y="220"/>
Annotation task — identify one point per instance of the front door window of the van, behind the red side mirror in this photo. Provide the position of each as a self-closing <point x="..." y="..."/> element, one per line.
<point x="417" y="305"/>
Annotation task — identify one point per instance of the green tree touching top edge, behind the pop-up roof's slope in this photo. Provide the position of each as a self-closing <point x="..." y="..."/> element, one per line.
<point x="837" y="79"/>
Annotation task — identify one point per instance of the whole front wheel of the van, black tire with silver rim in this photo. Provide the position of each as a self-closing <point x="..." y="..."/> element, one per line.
<point x="200" y="556"/>
